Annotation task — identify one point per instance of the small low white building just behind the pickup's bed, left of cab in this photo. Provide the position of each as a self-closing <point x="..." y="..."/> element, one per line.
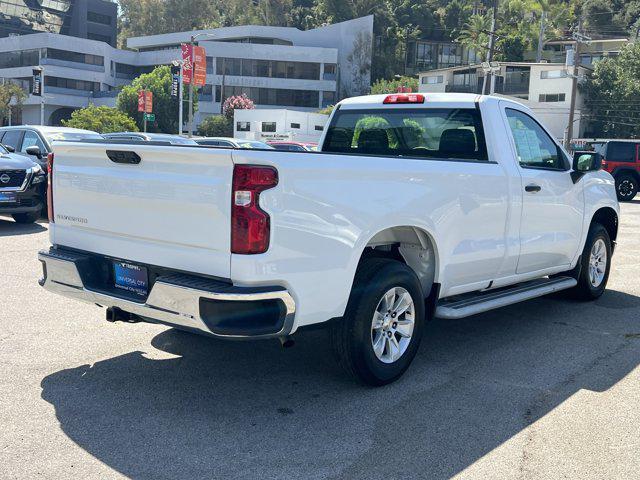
<point x="279" y="124"/>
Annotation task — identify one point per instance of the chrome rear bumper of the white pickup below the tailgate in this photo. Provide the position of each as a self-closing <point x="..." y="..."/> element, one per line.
<point x="174" y="299"/>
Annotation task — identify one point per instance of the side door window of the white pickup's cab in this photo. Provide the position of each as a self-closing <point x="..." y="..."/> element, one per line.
<point x="534" y="147"/>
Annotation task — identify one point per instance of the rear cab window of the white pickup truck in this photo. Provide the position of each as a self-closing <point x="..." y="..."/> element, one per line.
<point x="438" y="133"/>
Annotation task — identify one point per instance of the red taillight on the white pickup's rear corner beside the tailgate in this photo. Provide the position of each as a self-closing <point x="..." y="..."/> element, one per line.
<point x="250" y="225"/>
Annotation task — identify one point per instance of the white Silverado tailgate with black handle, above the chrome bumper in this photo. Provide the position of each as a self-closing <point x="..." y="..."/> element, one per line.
<point x="172" y="209"/>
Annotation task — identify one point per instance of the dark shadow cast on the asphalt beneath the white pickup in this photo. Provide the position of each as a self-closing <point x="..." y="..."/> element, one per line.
<point x="252" y="410"/>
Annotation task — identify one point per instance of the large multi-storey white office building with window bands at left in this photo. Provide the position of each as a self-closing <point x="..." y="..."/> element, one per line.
<point x="275" y="66"/>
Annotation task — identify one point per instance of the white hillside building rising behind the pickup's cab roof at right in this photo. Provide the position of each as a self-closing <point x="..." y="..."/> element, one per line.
<point x="543" y="87"/>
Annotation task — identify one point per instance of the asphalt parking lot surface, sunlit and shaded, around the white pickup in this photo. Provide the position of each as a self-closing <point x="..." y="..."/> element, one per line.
<point x="546" y="389"/>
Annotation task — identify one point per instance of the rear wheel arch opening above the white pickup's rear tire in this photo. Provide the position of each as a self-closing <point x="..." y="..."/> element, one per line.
<point x="413" y="246"/>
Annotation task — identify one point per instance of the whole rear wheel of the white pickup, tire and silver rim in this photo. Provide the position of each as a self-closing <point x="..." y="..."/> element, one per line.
<point x="379" y="336"/>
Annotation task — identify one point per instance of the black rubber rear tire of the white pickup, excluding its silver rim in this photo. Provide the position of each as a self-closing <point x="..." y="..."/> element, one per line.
<point x="352" y="335"/>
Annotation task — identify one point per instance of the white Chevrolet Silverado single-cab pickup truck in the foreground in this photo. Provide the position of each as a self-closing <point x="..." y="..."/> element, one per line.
<point x="417" y="206"/>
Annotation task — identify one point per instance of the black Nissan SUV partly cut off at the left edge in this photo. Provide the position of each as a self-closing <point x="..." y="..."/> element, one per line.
<point x="22" y="187"/>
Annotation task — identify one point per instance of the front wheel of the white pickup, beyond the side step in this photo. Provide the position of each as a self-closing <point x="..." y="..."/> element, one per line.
<point x="596" y="264"/>
